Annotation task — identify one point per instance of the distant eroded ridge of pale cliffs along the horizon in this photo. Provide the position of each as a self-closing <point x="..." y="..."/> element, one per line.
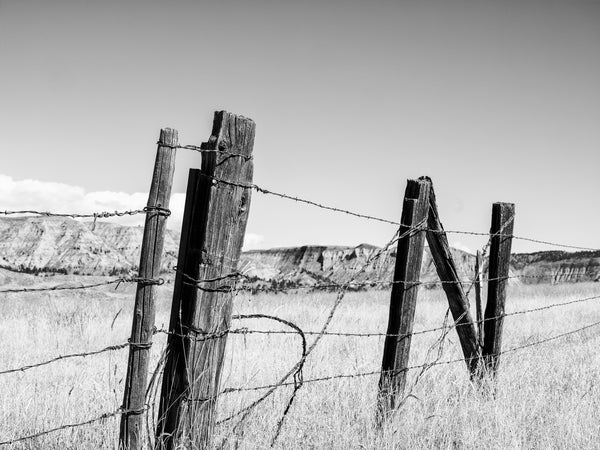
<point x="64" y="245"/>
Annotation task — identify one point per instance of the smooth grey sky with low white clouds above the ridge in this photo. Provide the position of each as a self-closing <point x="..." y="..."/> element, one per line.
<point x="494" y="100"/>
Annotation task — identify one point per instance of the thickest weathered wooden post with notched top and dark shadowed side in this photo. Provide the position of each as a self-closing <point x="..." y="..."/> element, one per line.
<point x="213" y="228"/>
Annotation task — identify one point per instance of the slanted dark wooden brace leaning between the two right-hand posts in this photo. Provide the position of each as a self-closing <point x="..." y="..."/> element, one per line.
<point x="451" y="283"/>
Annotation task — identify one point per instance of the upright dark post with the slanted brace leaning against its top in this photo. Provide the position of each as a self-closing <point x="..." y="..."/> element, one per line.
<point x="403" y="299"/>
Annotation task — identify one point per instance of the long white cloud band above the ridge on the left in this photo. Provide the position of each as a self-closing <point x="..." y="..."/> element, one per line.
<point x="18" y="195"/>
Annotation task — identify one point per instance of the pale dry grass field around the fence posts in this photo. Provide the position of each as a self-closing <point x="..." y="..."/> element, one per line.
<point x="547" y="396"/>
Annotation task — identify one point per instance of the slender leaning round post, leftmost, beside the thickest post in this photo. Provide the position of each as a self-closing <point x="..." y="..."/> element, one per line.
<point x="157" y="211"/>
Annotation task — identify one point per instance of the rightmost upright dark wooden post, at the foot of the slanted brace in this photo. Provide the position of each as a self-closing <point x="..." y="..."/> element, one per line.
<point x="503" y="215"/>
